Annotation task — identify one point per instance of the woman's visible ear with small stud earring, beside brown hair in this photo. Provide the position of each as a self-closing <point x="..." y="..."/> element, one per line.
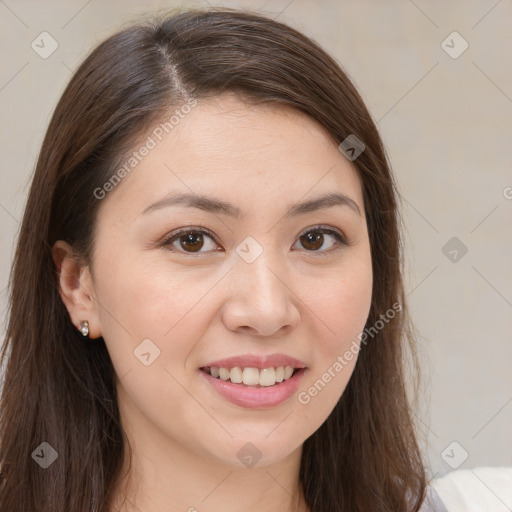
<point x="76" y="288"/>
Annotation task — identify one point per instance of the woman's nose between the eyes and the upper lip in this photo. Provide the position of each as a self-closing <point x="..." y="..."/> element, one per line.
<point x="261" y="301"/>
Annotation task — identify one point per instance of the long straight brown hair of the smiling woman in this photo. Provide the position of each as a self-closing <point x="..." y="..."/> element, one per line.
<point x="61" y="390"/>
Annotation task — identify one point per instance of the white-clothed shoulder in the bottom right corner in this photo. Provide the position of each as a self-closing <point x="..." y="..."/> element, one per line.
<point x="474" y="490"/>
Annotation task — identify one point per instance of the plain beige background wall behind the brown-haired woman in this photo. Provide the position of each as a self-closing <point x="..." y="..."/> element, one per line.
<point x="447" y="126"/>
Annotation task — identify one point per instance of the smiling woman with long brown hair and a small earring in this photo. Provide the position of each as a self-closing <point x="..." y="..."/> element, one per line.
<point x="207" y="310"/>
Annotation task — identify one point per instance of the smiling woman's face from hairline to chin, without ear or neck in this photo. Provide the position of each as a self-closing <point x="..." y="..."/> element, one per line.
<point x="273" y="280"/>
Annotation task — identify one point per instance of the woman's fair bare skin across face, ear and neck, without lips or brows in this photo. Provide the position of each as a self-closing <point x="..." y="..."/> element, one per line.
<point x="307" y="301"/>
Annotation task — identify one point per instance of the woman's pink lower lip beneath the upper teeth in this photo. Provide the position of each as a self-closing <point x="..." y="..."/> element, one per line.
<point x="255" y="398"/>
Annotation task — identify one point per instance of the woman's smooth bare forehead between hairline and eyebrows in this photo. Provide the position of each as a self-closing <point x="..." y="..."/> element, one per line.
<point x="245" y="153"/>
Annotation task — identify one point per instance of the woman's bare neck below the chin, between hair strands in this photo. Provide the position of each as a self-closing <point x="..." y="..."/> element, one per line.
<point x="177" y="479"/>
